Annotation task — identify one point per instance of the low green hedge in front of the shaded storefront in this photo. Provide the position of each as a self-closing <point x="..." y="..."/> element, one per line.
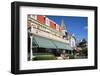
<point x="44" y="57"/>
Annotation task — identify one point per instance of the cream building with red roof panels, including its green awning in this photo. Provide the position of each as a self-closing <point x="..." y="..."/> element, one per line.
<point x="46" y="34"/>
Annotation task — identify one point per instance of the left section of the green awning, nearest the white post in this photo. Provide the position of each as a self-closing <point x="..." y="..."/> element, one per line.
<point x="43" y="42"/>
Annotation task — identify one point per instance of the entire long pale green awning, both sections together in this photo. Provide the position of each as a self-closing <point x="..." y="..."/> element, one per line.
<point x="43" y="42"/>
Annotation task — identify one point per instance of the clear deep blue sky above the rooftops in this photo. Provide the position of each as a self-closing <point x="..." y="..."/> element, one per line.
<point x="74" y="24"/>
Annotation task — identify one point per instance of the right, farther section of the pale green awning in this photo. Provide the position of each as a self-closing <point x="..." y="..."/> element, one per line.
<point x="61" y="45"/>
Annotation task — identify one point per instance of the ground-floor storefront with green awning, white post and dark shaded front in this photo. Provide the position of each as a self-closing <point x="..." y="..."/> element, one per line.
<point x="42" y="45"/>
